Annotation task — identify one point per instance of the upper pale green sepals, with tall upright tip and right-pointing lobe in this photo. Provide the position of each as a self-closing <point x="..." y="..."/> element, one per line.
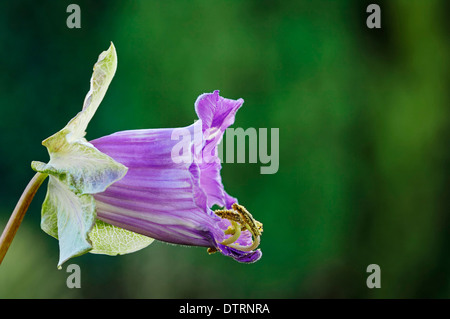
<point x="73" y="159"/>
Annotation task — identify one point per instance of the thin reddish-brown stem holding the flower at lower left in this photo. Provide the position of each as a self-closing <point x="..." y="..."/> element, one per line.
<point x="19" y="212"/>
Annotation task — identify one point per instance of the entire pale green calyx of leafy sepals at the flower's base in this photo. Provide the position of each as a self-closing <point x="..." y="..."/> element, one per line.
<point x="77" y="170"/>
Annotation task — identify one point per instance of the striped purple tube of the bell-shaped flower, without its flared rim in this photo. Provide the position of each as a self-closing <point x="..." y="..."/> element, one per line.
<point x="158" y="197"/>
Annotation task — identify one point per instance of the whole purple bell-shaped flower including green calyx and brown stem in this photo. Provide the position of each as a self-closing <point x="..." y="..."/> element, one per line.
<point x="117" y="194"/>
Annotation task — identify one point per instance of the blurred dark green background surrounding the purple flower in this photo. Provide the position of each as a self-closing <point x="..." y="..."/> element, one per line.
<point x="364" y="126"/>
